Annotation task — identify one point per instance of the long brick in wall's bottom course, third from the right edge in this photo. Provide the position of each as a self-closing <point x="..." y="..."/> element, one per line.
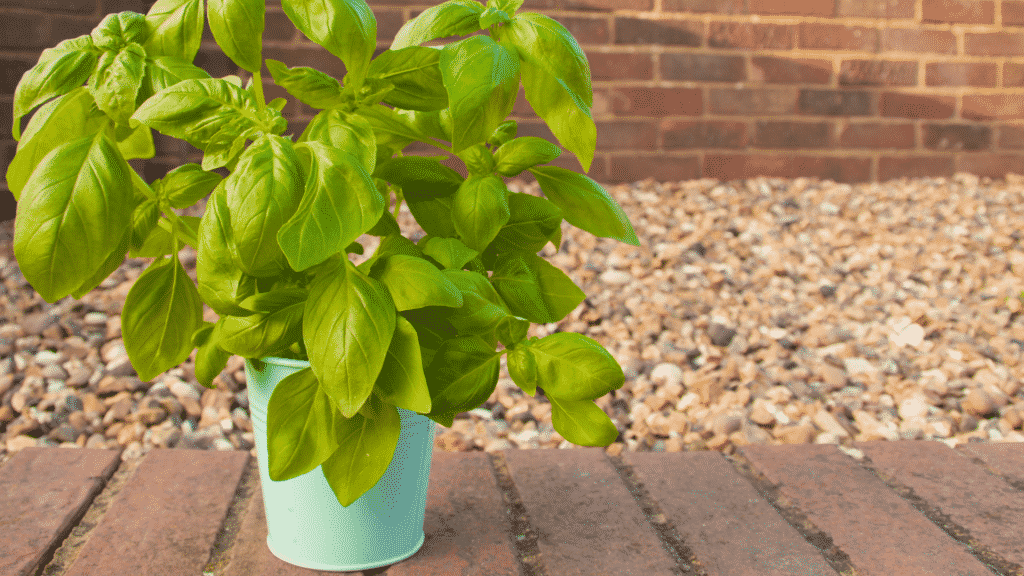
<point x="734" y="167"/>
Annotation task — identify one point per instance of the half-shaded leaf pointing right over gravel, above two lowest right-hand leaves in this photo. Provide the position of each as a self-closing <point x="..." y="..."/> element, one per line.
<point x="535" y="290"/>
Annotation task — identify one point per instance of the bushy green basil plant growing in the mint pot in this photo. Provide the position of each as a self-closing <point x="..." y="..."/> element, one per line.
<point x="415" y="326"/>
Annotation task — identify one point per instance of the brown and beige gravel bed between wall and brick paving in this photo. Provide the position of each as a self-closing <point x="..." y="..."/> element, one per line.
<point x="759" y="311"/>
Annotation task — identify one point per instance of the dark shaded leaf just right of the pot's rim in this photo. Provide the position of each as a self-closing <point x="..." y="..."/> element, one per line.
<point x="461" y="377"/>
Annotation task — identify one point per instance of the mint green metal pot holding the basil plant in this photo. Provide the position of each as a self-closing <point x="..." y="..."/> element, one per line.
<point x="308" y="527"/>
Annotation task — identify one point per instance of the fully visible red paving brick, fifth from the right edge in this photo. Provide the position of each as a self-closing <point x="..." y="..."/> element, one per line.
<point x="584" y="516"/>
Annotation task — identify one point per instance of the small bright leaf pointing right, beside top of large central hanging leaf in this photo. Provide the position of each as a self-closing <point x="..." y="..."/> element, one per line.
<point x="416" y="283"/>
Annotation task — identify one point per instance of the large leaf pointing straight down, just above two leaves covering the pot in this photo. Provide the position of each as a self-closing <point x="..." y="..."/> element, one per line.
<point x="349" y="323"/>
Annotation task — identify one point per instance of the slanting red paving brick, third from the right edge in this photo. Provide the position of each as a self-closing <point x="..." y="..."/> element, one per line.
<point x="878" y="530"/>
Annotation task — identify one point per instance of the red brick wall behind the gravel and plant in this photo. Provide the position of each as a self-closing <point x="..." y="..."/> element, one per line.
<point x="852" y="91"/>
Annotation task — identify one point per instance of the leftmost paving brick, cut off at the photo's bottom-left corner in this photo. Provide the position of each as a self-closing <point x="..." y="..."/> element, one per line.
<point x="45" y="492"/>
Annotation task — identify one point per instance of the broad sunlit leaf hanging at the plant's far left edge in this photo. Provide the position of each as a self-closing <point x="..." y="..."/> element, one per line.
<point x="72" y="215"/>
